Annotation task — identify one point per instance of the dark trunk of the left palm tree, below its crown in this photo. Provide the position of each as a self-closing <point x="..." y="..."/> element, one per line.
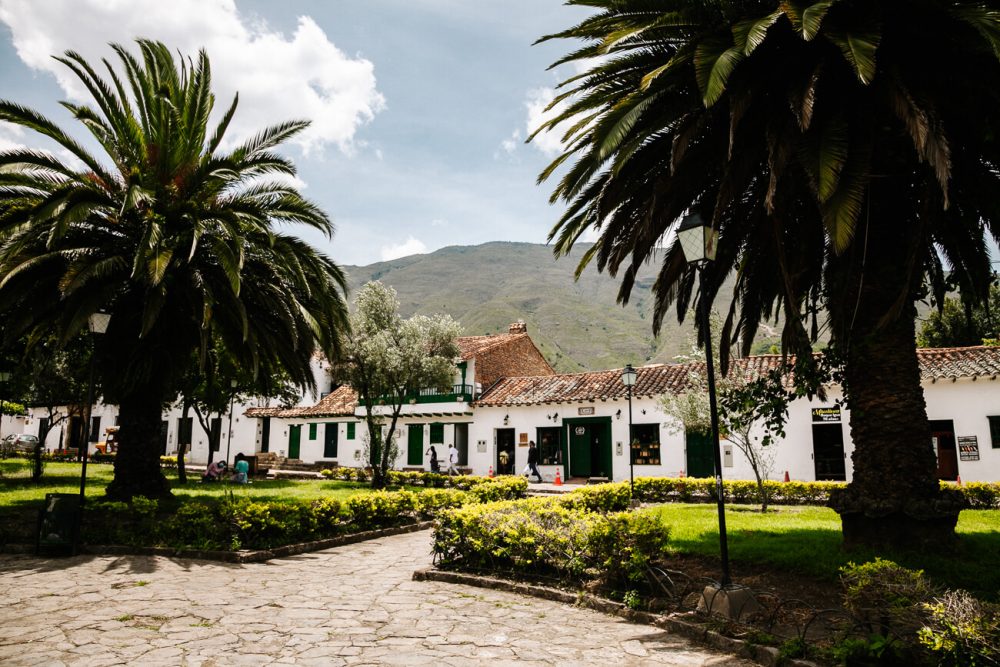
<point x="137" y="464"/>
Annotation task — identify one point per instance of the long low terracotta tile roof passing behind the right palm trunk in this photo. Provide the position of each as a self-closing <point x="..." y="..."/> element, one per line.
<point x="658" y="379"/>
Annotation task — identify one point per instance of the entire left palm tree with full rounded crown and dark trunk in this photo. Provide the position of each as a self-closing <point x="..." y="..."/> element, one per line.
<point x="171" y="234"/>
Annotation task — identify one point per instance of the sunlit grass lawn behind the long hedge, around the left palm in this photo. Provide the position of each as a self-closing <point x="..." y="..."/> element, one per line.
<point x="17" y="491"/>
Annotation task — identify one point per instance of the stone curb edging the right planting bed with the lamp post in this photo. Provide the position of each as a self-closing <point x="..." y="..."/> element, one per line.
<point x="764" y="655"/>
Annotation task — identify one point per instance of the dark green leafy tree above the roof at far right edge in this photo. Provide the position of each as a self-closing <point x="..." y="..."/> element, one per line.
<point x="958" y="322"/>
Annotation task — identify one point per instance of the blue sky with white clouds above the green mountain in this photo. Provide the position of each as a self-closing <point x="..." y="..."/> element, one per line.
<point x="420" y="107"/>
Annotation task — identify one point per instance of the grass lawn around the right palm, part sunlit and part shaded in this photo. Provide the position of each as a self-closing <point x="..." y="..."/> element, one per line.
<point x="807" y="540"/>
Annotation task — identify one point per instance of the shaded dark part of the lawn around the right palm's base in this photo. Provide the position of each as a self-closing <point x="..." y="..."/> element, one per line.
<point x="972" y="564"/>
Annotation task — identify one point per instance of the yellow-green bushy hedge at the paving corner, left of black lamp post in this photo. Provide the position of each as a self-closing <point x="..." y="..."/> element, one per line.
<point x="550" y="535"/>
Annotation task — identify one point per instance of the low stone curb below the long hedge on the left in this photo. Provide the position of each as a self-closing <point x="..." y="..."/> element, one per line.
<point x="237" y="557"/>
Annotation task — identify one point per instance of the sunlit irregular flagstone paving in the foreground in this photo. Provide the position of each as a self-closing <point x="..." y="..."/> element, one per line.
<point x="354" y="605"/>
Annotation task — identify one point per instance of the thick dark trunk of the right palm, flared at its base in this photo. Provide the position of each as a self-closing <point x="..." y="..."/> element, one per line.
<point x="894" y="499"/>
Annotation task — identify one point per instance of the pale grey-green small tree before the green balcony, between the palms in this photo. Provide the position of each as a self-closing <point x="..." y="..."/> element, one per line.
<point x="387" y="360"/>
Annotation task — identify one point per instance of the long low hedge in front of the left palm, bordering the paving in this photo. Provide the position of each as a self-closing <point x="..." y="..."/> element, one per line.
<point x="243" y="523"/>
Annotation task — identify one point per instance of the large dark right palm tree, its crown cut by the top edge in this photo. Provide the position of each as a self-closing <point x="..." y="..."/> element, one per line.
<point x="845" y="150"/>
